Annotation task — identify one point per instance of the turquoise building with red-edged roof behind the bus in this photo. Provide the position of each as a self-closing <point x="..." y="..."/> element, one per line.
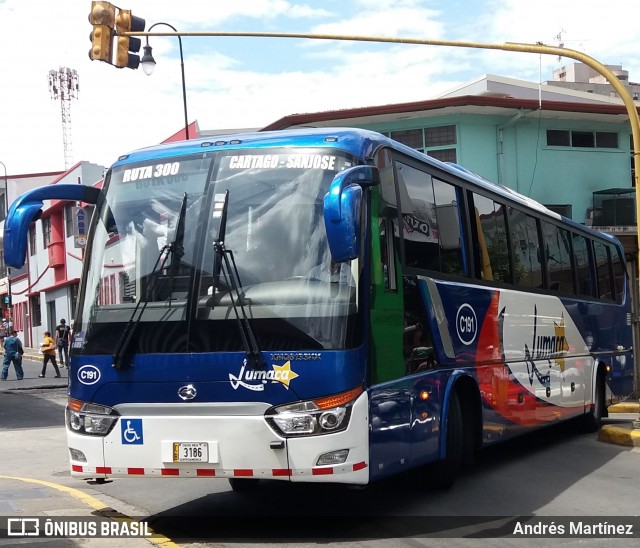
<point x="568" y="149"/>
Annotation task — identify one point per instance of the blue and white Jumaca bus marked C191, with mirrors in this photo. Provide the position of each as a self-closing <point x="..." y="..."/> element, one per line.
<point x="326" y="305"/>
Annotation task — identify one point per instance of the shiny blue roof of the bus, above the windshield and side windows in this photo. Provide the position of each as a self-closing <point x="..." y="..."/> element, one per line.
<point x="361" y="143"/>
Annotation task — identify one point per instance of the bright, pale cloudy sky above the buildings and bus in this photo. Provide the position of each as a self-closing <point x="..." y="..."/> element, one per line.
<point x="251" y="82"/>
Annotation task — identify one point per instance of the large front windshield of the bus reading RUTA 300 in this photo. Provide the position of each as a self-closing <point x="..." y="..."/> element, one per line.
<point x="152" y="256"/>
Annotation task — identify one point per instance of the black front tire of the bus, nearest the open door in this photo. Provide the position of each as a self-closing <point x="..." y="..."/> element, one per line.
<point x="443" y="473"/>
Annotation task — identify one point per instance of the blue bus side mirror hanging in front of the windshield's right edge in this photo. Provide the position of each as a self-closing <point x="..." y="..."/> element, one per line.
<point x="342" y="209"/>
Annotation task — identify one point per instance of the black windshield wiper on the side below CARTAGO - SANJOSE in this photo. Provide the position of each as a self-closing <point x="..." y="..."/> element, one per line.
<point x="224" y="262"/>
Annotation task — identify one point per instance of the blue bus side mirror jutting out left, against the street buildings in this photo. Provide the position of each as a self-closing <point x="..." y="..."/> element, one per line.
<point x="28" y="207"/>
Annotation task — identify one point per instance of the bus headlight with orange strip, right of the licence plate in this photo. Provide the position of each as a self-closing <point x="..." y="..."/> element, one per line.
<point x="313" y="417"/>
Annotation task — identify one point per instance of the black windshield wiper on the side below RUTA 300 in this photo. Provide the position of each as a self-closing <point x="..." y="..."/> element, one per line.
<point x="176" y="249"/>
